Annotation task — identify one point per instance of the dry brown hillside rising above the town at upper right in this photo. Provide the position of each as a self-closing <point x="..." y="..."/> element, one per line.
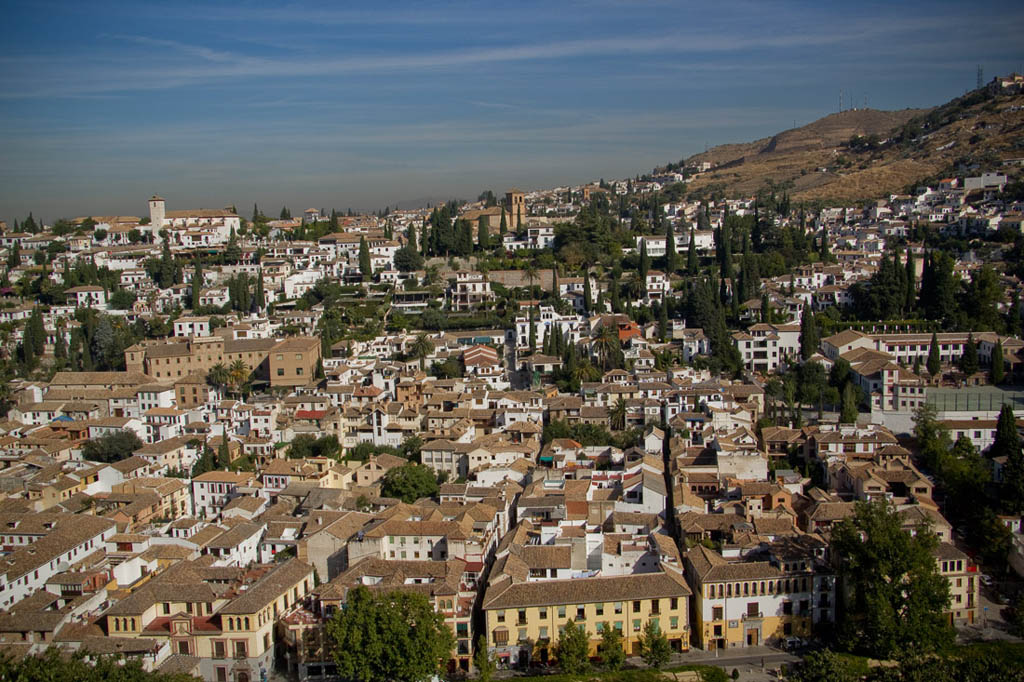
<point x="897" y="150"/>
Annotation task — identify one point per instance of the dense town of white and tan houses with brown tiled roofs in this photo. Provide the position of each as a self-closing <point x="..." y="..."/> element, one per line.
<point x="708" y="524"/>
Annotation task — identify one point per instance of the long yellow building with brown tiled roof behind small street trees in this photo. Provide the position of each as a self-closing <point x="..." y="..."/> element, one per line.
<point x="525" y="619"/>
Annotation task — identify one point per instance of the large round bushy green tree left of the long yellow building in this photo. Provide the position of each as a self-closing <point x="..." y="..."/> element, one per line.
<point x="392" y="637"/>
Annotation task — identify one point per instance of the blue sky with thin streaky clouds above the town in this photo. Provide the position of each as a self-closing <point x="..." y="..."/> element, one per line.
<point x="366" y="105"/>
